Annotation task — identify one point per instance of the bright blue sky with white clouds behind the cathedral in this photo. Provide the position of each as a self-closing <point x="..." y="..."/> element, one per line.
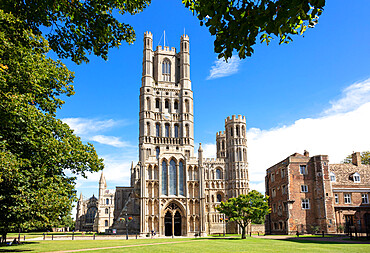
<point x="312" y="94"/>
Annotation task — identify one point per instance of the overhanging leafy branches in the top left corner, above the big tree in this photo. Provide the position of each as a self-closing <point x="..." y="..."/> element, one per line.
<point x="77" y="28"/>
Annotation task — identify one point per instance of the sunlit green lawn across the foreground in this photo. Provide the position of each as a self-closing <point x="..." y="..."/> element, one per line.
<point x="192" y="245"/>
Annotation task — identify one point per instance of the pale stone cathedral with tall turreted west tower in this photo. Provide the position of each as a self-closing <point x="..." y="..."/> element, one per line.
<point x="172" y="191"/>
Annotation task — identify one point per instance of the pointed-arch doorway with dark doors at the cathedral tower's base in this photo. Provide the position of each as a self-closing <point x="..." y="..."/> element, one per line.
<point x="172" y="221"/>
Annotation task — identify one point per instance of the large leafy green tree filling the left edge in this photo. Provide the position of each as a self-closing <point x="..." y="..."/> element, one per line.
<point x="39" y="154"/>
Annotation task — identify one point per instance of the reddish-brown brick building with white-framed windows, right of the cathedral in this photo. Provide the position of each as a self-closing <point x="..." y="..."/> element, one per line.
<point x="308" y="194"/>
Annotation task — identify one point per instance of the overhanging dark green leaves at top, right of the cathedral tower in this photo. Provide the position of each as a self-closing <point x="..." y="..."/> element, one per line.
<point x="237" y="25"/>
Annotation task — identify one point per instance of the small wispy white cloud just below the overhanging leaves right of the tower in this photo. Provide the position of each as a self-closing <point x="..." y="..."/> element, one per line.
<point x="222" y="68"/>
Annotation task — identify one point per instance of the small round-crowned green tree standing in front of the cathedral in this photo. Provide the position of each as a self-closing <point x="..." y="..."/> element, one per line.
<point x="245" y="208"/>
